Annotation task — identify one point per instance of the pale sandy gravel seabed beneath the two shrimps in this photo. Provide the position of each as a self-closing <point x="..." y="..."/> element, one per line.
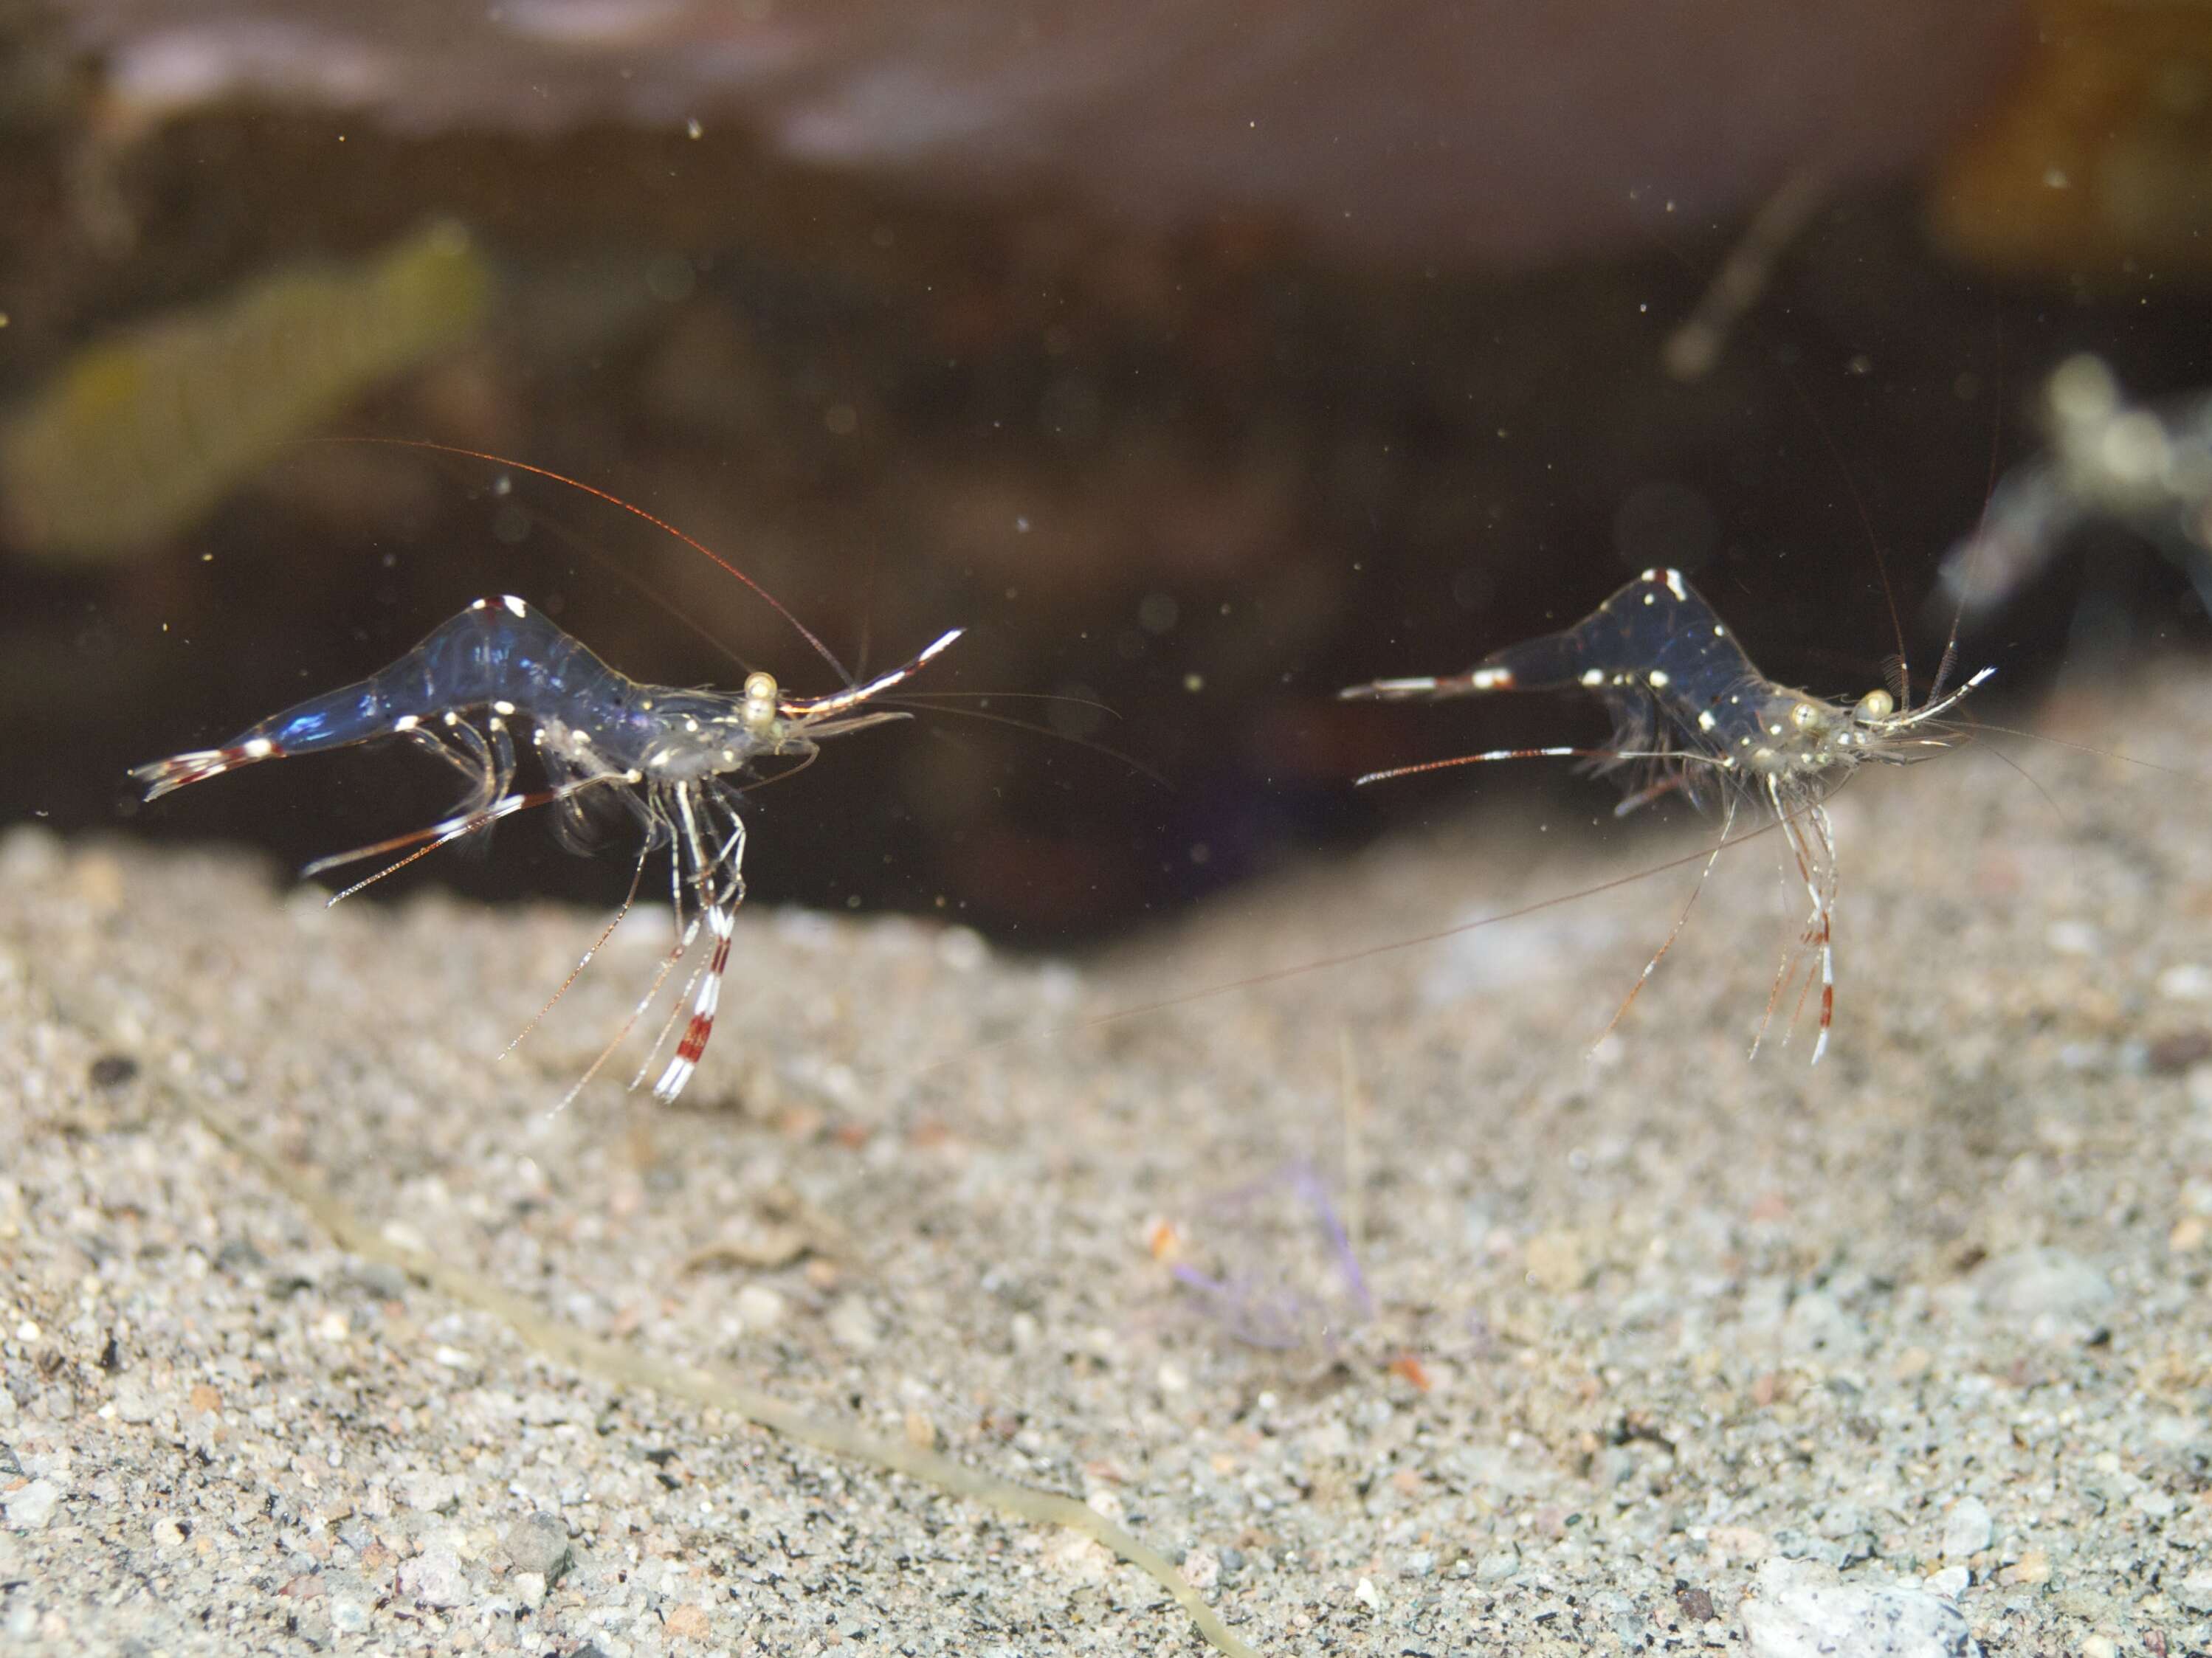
<point x="1368" y="1297"/>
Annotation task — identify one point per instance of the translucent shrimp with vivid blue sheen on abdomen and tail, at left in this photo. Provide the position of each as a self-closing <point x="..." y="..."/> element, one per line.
<point x="676" y="759"/>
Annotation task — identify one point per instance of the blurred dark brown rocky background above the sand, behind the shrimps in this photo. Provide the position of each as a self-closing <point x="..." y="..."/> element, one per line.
<point x="1198" y="372"/>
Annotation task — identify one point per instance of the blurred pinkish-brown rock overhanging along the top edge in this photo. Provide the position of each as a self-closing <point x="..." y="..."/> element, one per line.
<point x="1492" y="132"/>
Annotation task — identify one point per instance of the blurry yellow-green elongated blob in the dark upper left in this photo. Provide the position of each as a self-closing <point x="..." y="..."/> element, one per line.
<point x="152" y="426"/>
